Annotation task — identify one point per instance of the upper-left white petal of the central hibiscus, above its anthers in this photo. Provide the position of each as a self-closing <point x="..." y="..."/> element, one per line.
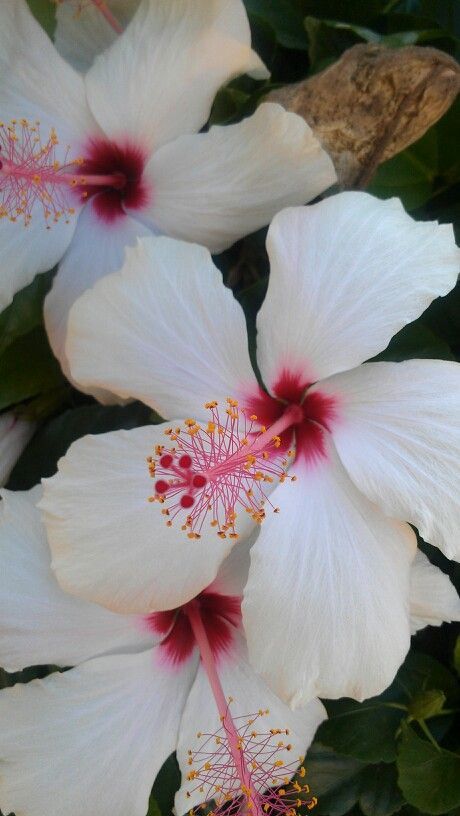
<point x="172" y="336"/>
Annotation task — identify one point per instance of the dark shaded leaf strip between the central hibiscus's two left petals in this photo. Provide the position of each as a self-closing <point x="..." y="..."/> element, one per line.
<point x="52" y="440"/>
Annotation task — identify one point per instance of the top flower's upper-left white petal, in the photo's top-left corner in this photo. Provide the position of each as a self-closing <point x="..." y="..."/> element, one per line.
<point x="36" y="83"/>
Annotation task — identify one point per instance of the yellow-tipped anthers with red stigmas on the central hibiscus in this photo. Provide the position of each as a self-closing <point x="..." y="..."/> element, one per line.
<point x="217" y="467"/>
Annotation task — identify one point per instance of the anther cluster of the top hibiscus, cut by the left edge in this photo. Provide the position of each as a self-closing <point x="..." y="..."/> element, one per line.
<point x="30" y="172"/>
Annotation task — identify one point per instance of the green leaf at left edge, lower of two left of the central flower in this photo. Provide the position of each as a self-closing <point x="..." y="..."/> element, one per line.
<point x="28" y="368"/>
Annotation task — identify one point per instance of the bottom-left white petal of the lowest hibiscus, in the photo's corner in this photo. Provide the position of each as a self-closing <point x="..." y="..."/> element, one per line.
<point x="90" y="740"/>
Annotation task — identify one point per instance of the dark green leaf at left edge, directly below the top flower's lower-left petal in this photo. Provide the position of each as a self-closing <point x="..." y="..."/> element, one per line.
<point x="25" y="312"/>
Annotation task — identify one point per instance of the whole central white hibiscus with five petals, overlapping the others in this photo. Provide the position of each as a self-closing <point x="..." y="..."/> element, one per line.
<point x="371" y="446"/>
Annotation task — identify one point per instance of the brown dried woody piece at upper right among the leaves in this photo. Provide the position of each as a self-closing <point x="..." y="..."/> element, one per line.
<point x="372" y="103"/>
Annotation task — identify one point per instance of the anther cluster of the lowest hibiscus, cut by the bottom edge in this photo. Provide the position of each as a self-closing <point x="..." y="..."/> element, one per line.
<point x="266" y="783"/>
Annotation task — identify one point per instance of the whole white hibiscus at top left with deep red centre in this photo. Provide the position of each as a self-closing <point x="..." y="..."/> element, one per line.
<point x="90" y="163"/>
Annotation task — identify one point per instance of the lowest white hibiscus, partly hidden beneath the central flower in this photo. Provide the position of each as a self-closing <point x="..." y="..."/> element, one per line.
<point x="92" y="739"/>
